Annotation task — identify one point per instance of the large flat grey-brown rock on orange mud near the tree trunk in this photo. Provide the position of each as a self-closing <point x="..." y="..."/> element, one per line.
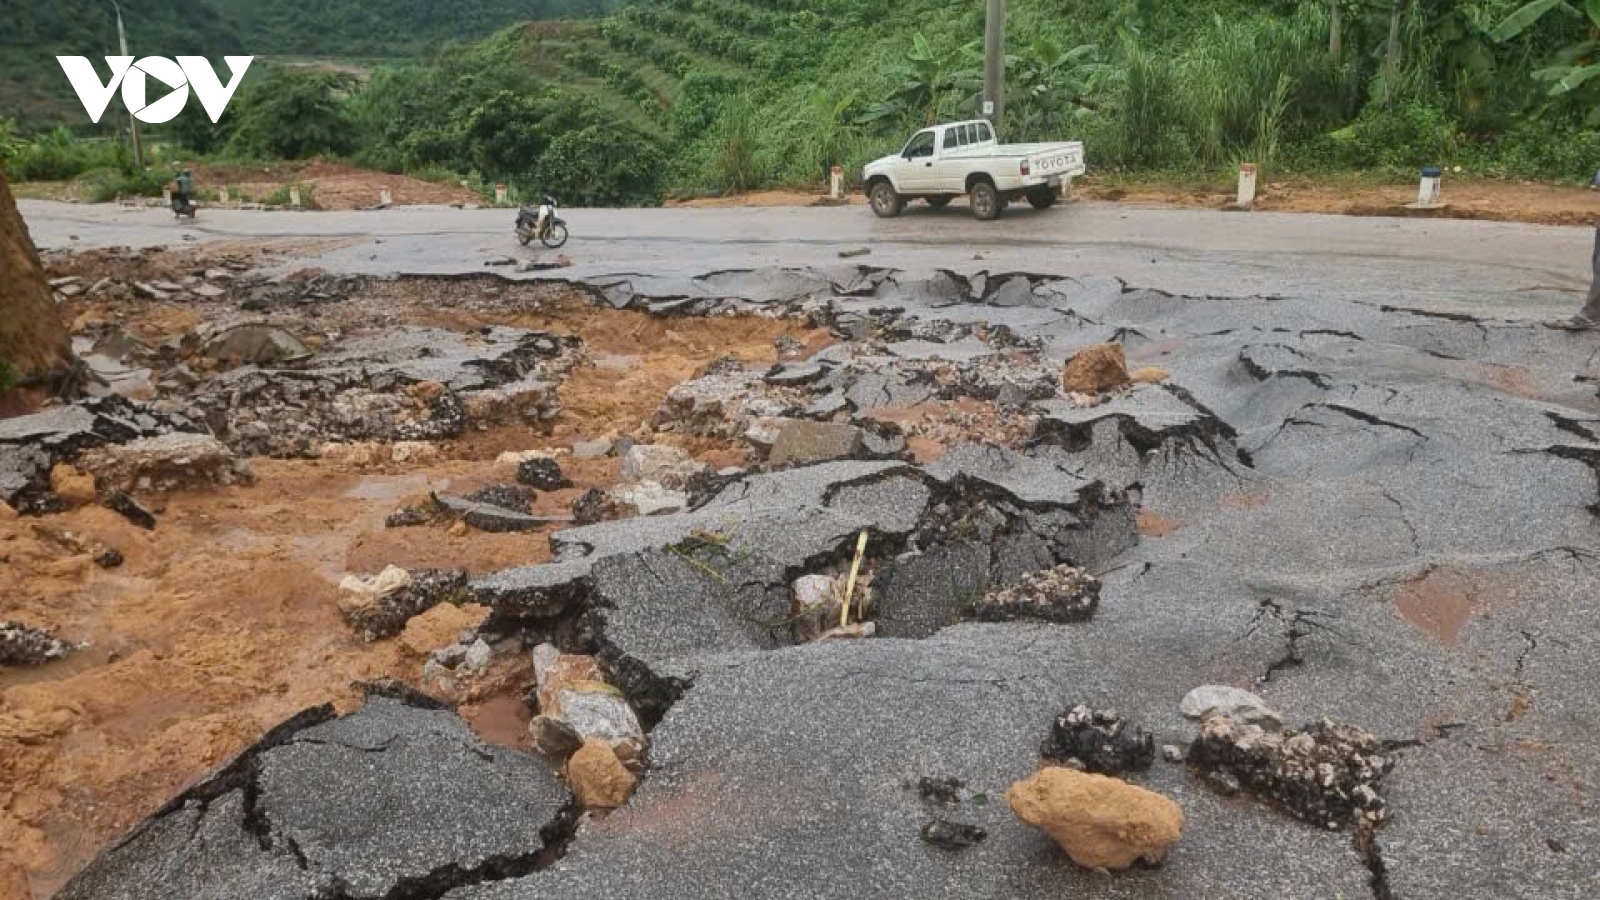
<point x="166" y="464"/>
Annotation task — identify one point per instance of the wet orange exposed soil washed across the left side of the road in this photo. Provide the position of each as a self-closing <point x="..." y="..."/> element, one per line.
<point x="223" y="621"/>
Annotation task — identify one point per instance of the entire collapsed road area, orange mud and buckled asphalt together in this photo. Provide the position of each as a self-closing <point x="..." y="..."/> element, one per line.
<point x="801" y="584"/>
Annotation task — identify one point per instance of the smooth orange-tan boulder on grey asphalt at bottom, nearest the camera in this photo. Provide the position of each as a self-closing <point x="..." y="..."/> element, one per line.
<point x="1102" y="822"/>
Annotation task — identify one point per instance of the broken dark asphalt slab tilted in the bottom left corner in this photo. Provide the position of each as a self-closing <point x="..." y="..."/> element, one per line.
<point x="396" y="800"/>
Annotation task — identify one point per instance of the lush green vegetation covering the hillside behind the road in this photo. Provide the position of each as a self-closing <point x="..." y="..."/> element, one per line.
<point x="687" y="97"/>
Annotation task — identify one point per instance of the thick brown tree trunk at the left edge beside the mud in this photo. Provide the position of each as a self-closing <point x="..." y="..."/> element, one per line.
<point x="34" y="342"/>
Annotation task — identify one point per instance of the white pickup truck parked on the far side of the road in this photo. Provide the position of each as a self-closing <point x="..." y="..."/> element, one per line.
<point x="964" y="158"/>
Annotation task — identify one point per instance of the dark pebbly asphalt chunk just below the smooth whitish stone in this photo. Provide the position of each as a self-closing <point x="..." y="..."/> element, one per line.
<point x="1327" y="774"/>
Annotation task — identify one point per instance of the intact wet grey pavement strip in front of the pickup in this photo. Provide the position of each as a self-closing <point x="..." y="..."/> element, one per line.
<point x="1486" y="268"/>
